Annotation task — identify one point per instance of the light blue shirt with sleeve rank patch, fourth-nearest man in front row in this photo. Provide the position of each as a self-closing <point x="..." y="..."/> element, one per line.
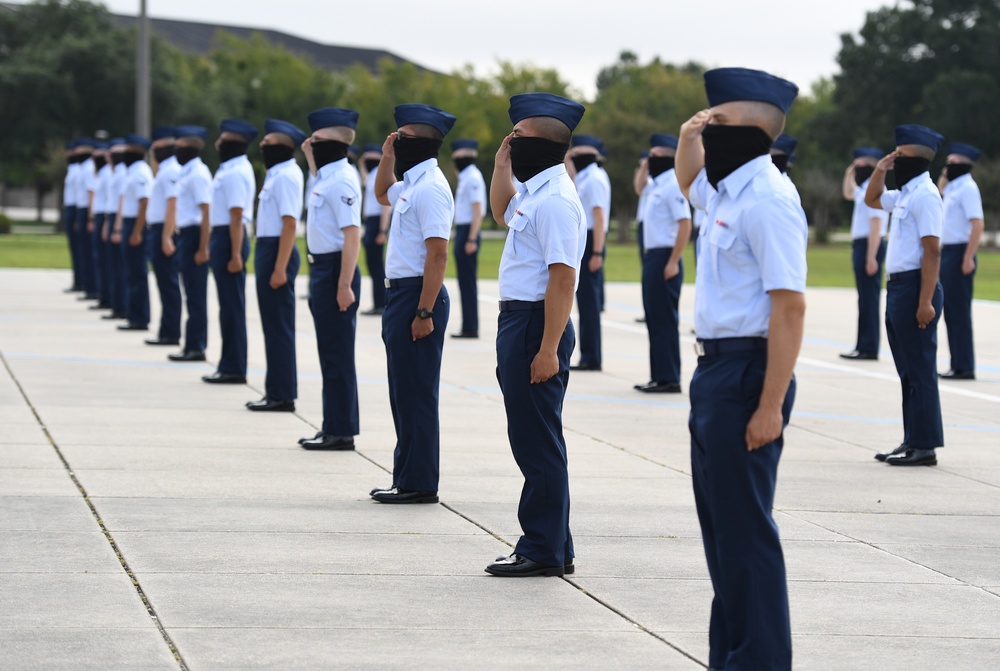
<point x="334" y="203"/>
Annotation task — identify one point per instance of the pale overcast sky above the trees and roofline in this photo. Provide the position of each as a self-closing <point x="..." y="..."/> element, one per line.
<point x="796" y="39"/>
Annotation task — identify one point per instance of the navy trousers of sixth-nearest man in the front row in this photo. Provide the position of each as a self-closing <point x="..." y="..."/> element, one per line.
<point x="231" y="289"/>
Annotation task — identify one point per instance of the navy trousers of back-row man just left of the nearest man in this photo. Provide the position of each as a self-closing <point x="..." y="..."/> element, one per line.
<point x="660" y="298"/>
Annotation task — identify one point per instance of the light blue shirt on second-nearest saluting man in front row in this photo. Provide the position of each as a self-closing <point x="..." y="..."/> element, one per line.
<point x="547" y="225"/>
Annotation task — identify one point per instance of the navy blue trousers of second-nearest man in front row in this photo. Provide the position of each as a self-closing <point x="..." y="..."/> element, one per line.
<point x="534" y="427"/>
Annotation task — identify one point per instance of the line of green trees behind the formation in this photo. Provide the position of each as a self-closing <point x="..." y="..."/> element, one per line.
<point x="66" y="69"/>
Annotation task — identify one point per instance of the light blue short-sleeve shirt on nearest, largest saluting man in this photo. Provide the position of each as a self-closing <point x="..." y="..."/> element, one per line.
<point x="753" y="240"/>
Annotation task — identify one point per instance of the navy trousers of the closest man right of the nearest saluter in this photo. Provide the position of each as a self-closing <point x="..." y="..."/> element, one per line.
<point x="914" y="351"/>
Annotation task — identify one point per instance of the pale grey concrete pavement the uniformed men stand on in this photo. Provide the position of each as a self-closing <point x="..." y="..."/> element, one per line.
<point x="151" y="522"/>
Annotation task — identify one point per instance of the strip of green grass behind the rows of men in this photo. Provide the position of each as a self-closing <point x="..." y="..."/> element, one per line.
<point x="829" y="265"/>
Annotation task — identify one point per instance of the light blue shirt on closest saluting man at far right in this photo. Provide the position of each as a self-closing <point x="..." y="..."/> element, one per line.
<point x="917" y="212"/>
